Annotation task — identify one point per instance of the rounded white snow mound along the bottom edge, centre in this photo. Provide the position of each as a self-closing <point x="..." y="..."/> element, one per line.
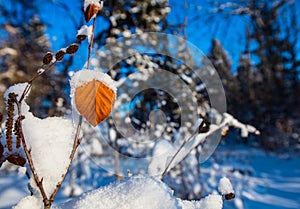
<point x="139" y="192"/>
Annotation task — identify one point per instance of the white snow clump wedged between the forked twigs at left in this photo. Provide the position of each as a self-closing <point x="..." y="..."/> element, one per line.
<point x="51" y="142"/>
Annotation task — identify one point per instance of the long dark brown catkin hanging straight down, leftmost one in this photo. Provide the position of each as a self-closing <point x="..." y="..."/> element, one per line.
<point x="9" y="122"/>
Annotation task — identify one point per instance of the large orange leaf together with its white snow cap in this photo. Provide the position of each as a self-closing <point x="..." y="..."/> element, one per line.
<point x="93" y="95"/>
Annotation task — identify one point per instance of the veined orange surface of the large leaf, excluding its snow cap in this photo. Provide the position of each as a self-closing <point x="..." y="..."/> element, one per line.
<point x="94" y="101"/>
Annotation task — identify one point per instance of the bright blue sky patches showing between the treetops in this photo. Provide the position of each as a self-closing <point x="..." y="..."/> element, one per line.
<point x="64" y="16"/>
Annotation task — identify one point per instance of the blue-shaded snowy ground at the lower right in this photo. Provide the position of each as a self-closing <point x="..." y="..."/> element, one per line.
<point x="260" y="180"/>
